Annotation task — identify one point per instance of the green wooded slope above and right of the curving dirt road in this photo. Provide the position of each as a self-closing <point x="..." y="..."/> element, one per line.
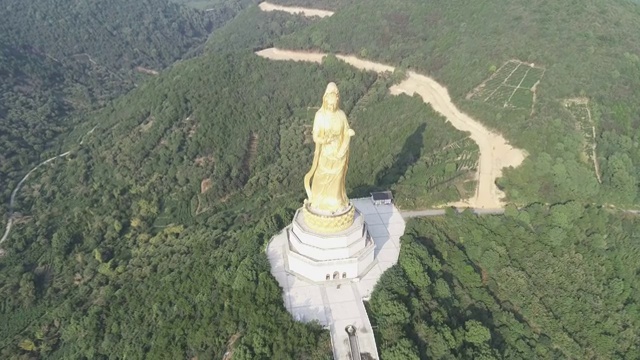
<point x="586" y="51"/>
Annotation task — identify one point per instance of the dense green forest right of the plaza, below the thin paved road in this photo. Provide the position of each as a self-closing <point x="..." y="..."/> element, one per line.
<point x="555" y="282"/>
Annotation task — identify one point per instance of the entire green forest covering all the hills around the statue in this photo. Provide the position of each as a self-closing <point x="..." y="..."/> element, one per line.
<point x="147" y="240"/>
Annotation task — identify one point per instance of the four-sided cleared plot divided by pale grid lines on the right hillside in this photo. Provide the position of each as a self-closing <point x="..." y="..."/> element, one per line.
<point x="512" y="85"/>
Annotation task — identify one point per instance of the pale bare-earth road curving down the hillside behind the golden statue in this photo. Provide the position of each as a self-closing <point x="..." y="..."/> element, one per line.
<point x="495" y="152"/>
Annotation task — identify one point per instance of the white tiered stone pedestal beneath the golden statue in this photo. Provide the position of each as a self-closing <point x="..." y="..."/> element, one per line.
<point x="348" y="254"/>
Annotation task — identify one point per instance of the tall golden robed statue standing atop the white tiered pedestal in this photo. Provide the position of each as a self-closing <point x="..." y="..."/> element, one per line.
<point x="325" y="182"/>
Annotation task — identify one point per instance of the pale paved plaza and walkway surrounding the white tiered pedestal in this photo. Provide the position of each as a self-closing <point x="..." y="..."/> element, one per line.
<point x="338" y="303"/>
